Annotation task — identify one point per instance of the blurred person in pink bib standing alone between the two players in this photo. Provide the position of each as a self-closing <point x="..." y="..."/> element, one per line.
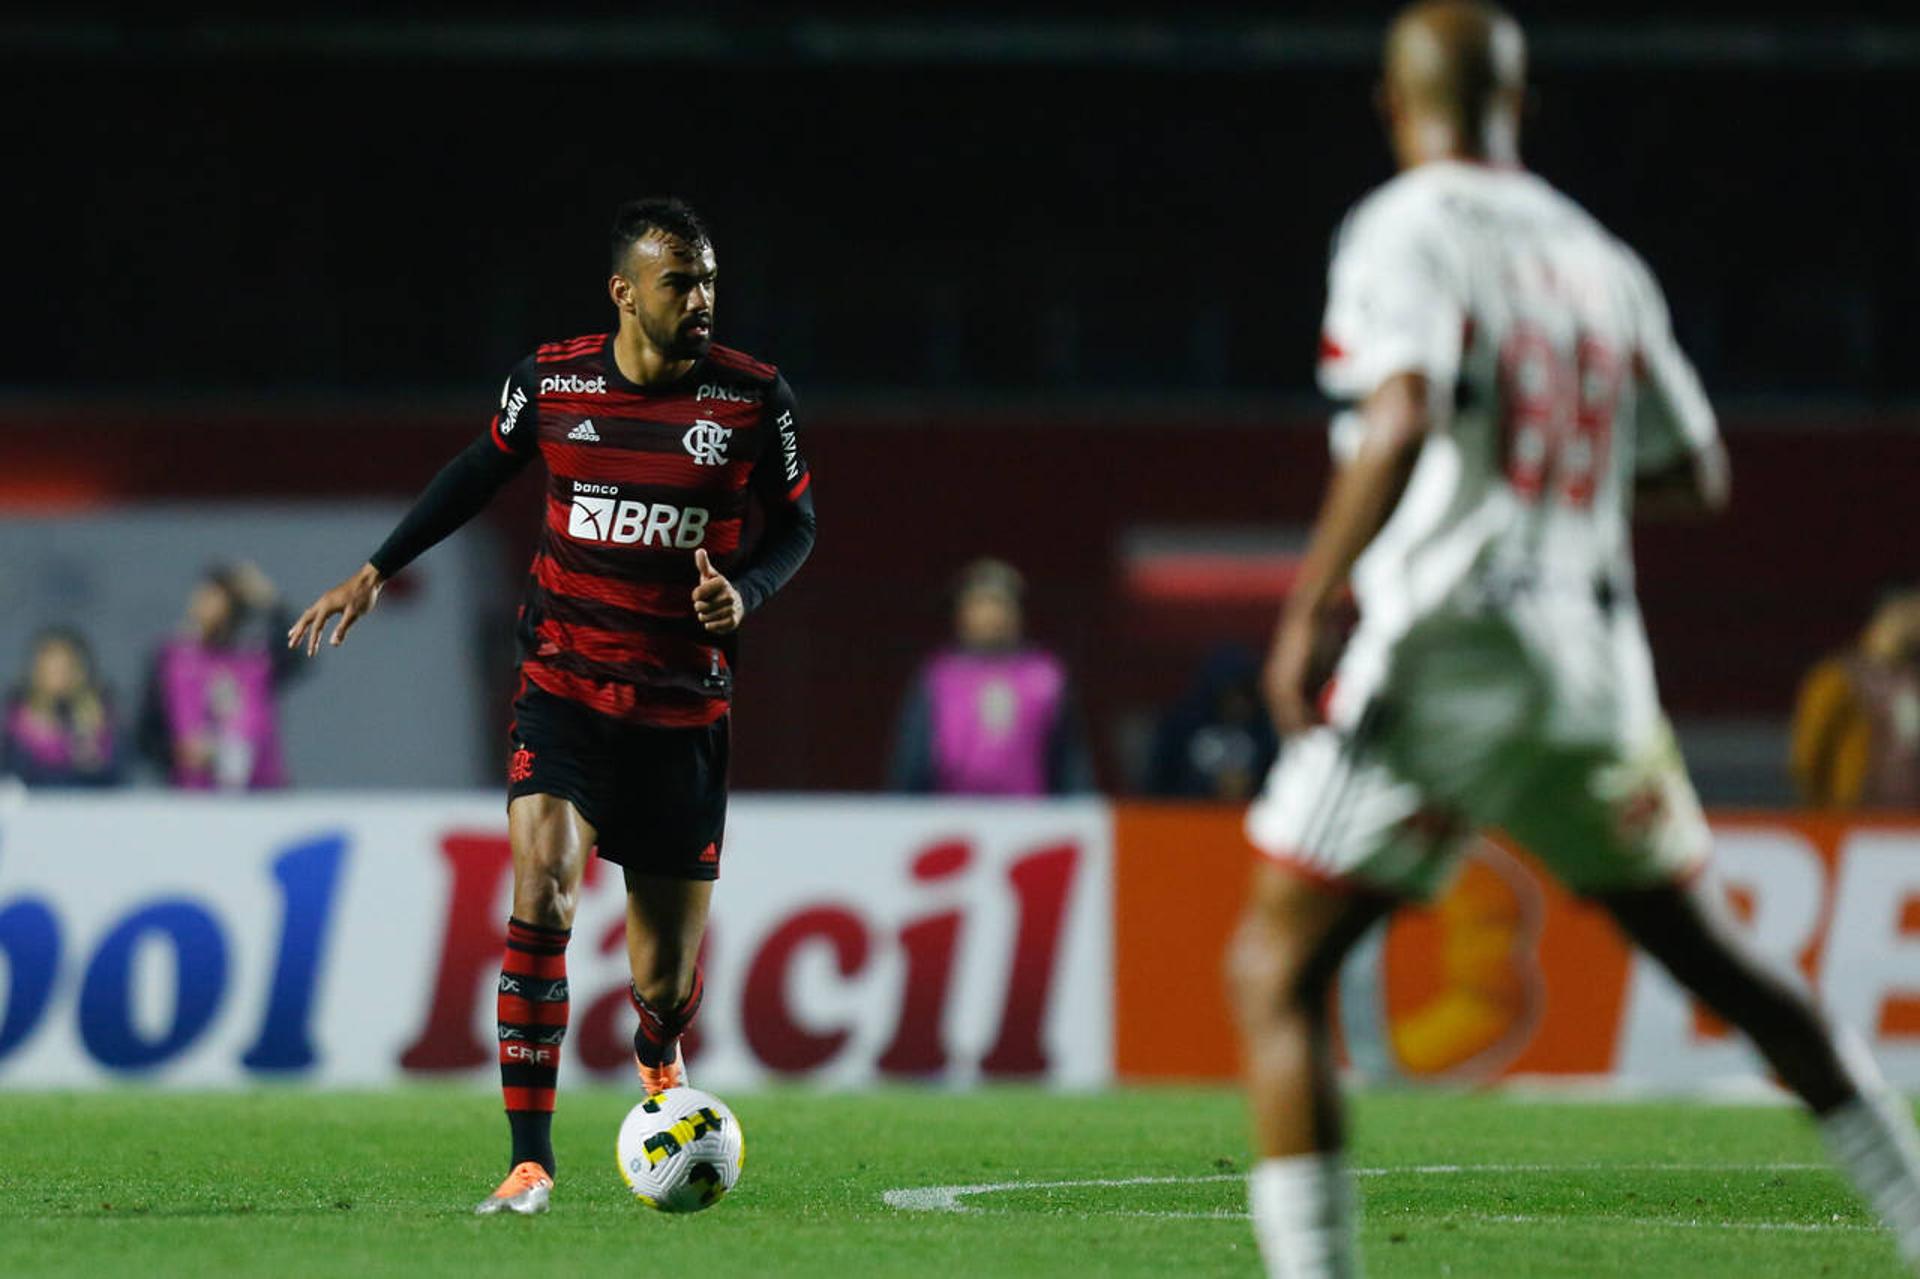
<point x="992" y="715"/>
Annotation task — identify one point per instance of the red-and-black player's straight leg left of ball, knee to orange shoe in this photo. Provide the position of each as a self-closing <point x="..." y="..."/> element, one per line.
<point x="550" y="850"/>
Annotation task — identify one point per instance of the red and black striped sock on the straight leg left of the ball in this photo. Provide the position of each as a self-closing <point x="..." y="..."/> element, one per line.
<point x="533" y="1023"/>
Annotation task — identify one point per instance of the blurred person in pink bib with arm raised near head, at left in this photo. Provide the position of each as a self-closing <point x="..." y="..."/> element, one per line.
<point x="210" y="717"/>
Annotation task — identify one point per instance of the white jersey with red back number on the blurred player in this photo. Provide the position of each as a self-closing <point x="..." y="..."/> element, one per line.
<point x="1554" y="377"/>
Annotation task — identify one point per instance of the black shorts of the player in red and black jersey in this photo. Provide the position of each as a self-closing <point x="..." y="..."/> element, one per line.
<point x="656" y="796"/>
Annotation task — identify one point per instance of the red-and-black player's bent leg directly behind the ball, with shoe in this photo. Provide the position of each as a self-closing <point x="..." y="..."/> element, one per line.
<point x="665" y="927"/>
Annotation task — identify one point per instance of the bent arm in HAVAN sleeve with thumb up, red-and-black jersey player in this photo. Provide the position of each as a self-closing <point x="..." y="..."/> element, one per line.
<point x="784" y="487"/>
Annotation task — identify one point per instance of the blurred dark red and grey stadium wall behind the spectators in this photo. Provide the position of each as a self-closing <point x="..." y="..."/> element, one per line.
<point x="1149" y="537"/>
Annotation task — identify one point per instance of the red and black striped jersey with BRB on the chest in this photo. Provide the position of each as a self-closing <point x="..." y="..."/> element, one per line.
<point x="638" y="479"/>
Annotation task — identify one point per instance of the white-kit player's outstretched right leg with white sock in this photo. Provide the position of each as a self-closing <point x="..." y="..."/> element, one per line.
<point x="1869" y="1130"/>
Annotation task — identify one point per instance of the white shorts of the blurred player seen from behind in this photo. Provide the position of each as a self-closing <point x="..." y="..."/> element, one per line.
<point x="1468" y="733"/>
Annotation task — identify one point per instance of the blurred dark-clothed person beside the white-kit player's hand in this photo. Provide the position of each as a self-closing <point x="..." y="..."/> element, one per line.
<point x="1216" y="742"/>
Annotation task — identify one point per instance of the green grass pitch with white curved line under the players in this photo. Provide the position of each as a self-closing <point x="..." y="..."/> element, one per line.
<point x="383" y="1184"/>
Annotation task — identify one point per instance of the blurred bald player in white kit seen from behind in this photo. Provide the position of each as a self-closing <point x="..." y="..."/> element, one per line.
<point x="1518" y="395"/>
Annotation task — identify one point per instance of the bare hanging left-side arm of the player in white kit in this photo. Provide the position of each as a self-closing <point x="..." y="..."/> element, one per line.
<point x="1358" y="502"/>
